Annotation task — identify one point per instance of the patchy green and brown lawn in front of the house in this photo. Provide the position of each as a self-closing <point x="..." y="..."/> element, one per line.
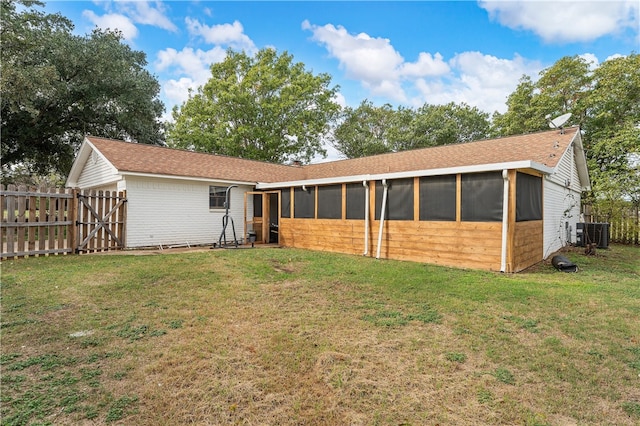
<point x="280" y="336"/>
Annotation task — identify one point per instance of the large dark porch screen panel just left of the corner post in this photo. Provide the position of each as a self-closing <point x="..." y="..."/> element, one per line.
<point x="482" y="197"/>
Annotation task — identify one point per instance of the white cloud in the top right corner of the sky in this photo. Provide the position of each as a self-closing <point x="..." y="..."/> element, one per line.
<point x="564" y="21"/>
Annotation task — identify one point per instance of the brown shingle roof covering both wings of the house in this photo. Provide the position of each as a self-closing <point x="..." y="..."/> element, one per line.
<point x="545" y="148"/>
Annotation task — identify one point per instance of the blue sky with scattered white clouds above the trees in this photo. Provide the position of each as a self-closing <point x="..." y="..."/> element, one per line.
<point x="403" y="53"/>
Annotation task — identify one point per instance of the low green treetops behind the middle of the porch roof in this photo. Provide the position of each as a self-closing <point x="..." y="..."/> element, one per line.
<point x="369" y="130"/>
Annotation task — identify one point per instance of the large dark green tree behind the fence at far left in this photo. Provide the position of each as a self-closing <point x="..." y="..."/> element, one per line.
<point x="57" y="87"/>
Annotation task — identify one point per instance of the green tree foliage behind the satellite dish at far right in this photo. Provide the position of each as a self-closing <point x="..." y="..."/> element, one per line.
<point x="605" y="102"/>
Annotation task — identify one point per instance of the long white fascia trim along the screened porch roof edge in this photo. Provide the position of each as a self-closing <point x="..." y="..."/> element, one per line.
<point x="527" y="164"/>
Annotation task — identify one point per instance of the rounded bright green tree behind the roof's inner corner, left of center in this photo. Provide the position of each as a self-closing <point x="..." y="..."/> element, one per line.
<point x="263" y="107"/>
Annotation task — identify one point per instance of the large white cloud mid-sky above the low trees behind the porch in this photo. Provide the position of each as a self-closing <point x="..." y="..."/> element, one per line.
<point x="479" y="80"/>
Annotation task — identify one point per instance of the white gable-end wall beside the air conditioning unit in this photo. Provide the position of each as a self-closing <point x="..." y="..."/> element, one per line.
<point x="561" y="205"/>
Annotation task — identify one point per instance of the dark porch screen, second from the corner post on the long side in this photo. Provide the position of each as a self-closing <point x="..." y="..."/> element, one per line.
<point x="438" y="198"/>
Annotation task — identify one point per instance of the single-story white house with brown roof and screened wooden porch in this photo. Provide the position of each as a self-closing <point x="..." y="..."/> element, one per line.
<point x="501" y="204"/>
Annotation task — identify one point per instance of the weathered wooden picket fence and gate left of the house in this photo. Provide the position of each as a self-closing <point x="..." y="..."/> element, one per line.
<point x="44" y="221"/>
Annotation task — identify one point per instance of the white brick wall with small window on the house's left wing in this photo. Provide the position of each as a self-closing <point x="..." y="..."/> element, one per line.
<point x="176" y="212"/>
